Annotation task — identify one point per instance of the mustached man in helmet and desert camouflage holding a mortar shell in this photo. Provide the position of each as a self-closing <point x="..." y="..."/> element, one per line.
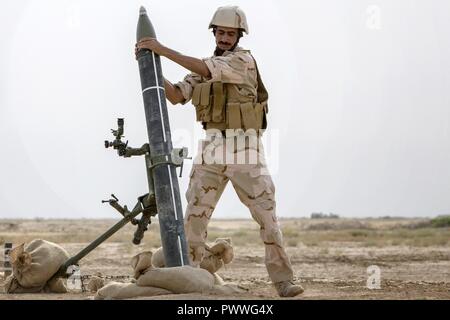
<point x="231" y="103"/>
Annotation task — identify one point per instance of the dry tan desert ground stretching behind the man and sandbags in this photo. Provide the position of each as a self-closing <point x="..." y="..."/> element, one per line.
<point x="330" y="257"/>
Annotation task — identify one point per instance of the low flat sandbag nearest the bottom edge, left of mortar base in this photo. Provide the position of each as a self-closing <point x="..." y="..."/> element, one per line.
<point x="118" y="290"/>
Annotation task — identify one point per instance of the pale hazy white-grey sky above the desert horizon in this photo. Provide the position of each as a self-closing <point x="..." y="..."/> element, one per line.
<point x="359" y="103"/>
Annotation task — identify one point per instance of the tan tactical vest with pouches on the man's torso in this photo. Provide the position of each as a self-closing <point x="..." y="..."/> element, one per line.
<point x="221" y="106"/>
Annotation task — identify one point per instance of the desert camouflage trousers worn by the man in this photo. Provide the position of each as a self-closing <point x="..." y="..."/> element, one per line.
<point x="255" y="189"/>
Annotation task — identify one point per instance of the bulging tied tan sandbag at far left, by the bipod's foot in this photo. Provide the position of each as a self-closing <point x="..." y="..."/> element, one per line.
<point x="34" y="264"/>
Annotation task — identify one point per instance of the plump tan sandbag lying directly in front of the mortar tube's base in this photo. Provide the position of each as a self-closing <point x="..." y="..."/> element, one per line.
<point x="185" y="279"/>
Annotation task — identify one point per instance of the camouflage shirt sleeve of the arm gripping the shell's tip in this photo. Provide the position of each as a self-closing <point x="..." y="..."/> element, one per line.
<point x="231" y="68"/>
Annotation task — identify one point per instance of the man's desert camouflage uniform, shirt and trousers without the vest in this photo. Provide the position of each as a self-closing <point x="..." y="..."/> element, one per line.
<point x="251" y="179"/>
